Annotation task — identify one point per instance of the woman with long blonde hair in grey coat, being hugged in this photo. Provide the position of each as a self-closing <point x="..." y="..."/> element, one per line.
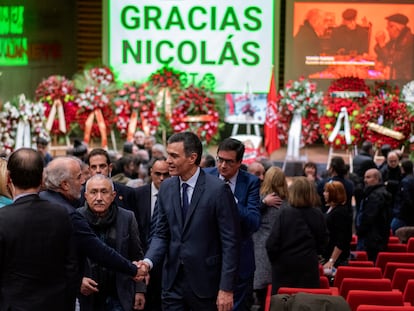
<point x="274" y="194"/>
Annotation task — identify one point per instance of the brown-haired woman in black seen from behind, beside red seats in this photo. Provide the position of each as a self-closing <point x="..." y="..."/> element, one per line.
<point x="299" y="234"/>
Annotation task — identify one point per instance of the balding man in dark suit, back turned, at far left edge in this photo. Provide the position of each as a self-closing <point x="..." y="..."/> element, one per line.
<point x="35" y="241"/>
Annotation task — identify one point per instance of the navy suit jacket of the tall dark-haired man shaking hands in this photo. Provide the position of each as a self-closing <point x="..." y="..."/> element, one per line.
<point x="206" y="246"/>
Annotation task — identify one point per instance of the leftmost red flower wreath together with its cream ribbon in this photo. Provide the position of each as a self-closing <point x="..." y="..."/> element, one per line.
<point x="57" y="95"/>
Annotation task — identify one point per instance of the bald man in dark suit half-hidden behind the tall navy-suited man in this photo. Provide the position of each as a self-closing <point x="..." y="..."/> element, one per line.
<point x="146" y="197"/>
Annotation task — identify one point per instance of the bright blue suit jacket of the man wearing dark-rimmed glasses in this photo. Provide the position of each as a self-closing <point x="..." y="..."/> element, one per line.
<point x="248" y="203"/>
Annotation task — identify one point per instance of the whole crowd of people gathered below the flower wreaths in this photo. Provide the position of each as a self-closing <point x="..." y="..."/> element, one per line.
<point x="168" y="227"/>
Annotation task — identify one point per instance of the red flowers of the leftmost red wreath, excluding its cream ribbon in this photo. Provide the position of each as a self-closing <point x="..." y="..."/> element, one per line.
<point x="58" y="88"/>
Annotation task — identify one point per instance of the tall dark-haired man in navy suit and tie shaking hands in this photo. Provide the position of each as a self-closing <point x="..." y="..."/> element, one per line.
<point x="197" y="233"/>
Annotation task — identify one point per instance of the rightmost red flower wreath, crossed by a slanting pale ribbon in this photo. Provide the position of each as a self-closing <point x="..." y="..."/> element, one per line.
<point x="386" y="111"/>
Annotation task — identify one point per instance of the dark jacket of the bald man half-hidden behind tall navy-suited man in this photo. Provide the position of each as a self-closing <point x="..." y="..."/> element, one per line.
<point x="143" y="212"/>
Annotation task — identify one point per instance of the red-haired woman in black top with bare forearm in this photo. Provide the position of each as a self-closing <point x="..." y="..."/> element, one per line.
<point x="339" y="223"/>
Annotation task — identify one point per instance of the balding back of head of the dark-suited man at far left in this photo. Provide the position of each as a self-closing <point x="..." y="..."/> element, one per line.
<point x="26" y="168"/>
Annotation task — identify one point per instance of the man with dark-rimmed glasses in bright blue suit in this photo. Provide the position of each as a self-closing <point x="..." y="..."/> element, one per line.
<point x="245" y="187"/>
